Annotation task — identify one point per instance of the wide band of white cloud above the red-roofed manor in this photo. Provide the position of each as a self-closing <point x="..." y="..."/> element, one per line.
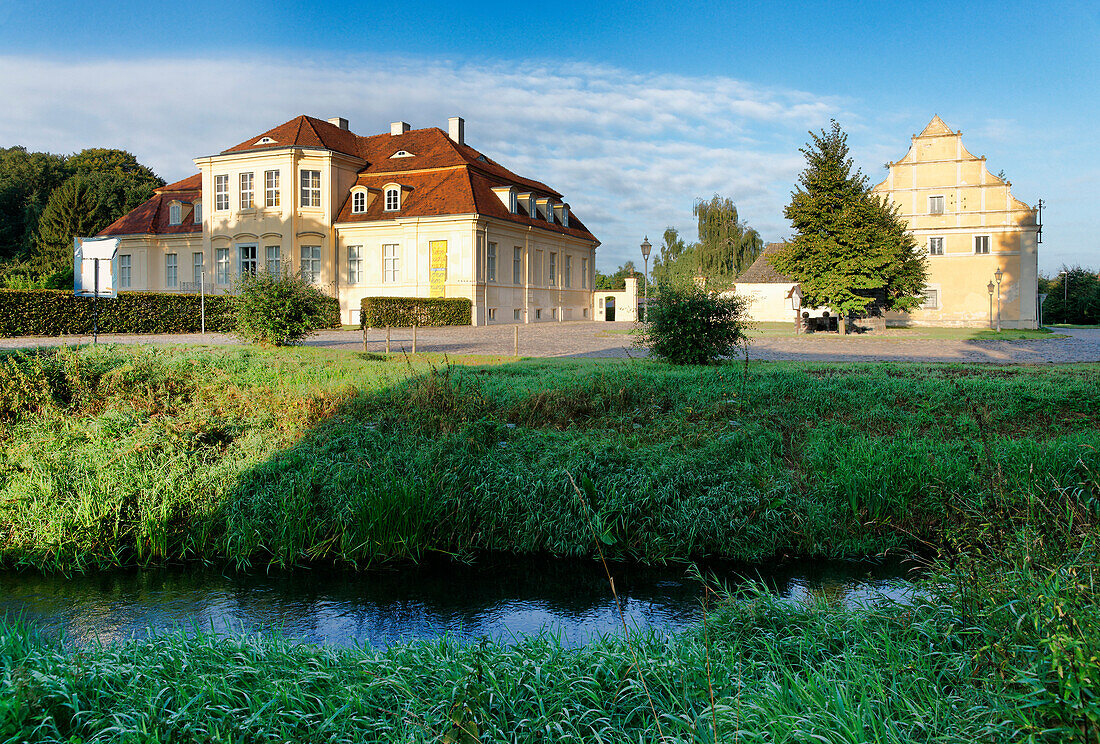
<point x="630" y="151"/>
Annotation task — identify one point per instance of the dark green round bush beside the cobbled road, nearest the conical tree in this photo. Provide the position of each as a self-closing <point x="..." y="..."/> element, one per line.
<point x="690" y="326"/>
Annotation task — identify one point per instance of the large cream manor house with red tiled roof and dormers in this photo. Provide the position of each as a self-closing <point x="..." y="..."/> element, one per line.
<point x="408" y="214"/>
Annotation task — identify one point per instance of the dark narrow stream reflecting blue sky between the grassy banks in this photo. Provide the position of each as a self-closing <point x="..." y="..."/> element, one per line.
<point x="500" y="599"/>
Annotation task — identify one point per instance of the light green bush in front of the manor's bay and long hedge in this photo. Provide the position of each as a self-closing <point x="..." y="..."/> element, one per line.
<point x="281" y="310"/>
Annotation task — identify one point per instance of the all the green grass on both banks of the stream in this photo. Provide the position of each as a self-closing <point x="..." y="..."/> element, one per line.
<point x="137" y="456"/>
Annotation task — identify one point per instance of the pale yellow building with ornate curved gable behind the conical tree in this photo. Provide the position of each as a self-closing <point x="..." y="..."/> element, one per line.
<point x="971" y="226"/>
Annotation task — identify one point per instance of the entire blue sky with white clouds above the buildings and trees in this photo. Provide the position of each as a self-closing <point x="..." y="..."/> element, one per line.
<point x="632" y="111"/>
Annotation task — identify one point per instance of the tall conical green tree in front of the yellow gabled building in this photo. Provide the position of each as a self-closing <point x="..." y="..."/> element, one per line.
<point x="852" y="251"/>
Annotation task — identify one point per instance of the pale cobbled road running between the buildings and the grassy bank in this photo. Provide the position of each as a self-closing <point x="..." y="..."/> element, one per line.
<point x="593" y="340"/>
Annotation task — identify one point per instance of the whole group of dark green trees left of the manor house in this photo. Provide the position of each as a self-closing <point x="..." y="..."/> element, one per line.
<point x="47" y="199"/>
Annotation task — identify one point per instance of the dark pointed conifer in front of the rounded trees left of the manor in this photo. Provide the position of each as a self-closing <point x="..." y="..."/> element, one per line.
<point x="74" y="210"/>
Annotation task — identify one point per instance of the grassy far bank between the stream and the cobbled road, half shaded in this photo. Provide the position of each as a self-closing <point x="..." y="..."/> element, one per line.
<point x="139" y="456"/>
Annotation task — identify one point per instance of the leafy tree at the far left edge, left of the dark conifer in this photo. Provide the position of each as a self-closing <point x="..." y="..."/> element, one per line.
<point x="27" y="181"/>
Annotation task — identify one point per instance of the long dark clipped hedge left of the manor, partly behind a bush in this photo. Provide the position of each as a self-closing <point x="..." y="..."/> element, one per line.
<point x="57" y="313"/>
